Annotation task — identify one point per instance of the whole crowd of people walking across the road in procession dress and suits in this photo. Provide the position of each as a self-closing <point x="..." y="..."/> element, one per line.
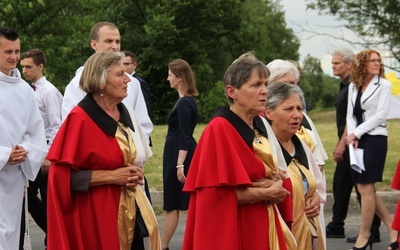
<point x="255" y="180"/>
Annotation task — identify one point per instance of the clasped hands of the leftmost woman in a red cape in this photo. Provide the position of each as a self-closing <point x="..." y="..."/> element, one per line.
<point x="128" y="176"/>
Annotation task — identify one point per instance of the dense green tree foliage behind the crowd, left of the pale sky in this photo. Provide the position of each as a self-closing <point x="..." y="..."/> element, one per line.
<point x="208" y="34"/>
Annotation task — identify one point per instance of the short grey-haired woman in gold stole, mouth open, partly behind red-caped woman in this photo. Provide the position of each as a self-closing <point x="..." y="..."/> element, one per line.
<point x="284" y="112"/>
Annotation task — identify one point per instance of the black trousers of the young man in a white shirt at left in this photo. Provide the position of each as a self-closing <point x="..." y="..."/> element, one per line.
<point x="36" y="206"/>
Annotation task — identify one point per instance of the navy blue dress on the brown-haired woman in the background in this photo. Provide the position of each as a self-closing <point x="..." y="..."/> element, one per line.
<point x="181" y="122"/>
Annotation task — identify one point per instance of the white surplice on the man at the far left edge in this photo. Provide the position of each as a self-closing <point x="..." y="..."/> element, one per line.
<point x="20" y="124"/>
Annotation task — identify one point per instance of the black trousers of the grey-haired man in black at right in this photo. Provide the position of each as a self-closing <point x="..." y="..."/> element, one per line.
<point x="342" y="188"/>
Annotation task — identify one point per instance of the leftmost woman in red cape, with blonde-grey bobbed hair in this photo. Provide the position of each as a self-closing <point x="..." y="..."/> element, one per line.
<point x="103" y="138"/>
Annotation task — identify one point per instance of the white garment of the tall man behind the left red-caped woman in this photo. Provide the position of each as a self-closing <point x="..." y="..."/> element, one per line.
<point x="73" y="95"/>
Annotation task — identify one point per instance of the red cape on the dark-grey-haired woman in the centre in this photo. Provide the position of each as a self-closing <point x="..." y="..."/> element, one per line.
<point x="222" y="161"/>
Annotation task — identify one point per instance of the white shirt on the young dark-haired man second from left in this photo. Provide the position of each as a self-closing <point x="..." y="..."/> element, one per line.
<point x="49" y="101"/>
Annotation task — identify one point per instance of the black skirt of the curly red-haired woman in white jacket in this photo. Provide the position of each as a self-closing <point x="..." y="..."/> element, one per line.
<point x="375" y="150"/>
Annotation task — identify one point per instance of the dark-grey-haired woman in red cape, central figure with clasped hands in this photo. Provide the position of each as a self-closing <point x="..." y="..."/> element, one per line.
<point x="233" y="180"/>
